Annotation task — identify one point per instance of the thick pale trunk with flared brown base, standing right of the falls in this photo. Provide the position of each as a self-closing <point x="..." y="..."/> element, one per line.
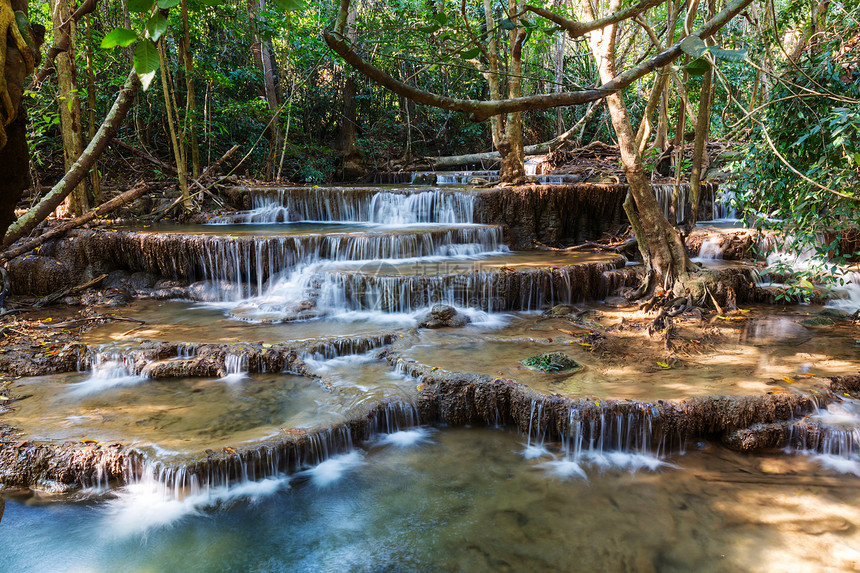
<point x="666" y="255"/>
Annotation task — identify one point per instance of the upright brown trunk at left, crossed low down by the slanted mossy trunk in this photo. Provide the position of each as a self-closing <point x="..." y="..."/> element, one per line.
<point x="69" y="104"/>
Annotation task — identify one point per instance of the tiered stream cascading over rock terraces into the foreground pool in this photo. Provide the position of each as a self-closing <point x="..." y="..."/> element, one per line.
<point x="611" y="492"/>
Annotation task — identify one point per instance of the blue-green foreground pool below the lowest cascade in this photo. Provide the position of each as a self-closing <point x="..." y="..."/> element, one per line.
<point x="460" y="500"/>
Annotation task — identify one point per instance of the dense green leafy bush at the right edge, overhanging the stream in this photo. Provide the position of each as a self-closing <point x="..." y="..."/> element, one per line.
<point x="801" y="169"/>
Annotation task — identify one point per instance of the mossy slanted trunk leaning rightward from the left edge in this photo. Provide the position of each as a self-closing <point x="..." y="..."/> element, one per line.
<point x="31" y="219"/>
